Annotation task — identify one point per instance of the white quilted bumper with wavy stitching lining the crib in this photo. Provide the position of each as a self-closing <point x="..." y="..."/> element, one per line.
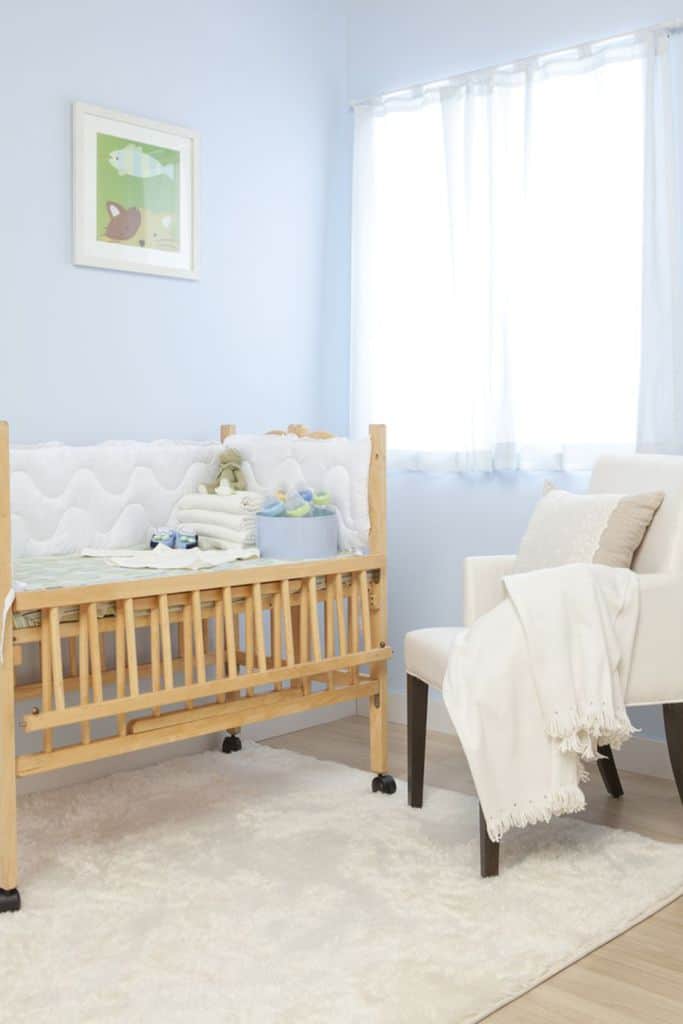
<point x="65" y="498"/>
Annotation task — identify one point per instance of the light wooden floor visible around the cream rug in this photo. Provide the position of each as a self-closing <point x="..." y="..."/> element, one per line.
<point x="637" y="977"/>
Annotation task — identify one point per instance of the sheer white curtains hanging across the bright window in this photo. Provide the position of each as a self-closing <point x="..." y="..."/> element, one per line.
<point x="498" y="260"/>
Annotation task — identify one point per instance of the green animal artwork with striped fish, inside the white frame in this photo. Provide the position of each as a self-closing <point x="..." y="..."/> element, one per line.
<point x="150" y="185"/>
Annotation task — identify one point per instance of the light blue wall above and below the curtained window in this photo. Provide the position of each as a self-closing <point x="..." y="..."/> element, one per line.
<point x="436" y="522"/>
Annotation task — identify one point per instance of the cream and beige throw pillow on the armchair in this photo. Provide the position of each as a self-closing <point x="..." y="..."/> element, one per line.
<point x="604" y="529"/>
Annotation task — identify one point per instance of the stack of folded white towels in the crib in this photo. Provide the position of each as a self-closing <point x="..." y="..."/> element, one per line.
<point x="221" y="521"/>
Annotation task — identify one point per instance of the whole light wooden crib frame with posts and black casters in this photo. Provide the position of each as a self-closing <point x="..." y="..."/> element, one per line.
<point x="184" y="656"/>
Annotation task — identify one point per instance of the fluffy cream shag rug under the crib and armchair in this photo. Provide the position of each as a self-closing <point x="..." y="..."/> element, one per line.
<point x="268" y="888"/>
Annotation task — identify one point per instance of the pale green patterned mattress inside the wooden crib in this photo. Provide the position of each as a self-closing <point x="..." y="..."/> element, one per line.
<point x="55" y="572"/>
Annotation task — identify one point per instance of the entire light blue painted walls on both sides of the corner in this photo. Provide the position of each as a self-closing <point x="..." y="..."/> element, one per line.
<point x="264" y="337"/>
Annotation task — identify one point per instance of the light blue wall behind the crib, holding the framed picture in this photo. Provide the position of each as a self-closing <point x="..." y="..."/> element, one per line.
<point x="90" y="354"/>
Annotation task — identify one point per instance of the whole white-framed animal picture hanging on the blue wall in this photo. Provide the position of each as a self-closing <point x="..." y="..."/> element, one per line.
<point x="136" y="194"/>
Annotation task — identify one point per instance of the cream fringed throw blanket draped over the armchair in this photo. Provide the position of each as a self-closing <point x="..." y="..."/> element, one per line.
<point x="535" y="686"/>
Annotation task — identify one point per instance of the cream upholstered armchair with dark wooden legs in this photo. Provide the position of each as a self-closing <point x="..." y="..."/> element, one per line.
<point x="657" y="673"/>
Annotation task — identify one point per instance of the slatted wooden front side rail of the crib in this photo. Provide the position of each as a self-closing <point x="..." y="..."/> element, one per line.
<point x="228" y="655"/>
